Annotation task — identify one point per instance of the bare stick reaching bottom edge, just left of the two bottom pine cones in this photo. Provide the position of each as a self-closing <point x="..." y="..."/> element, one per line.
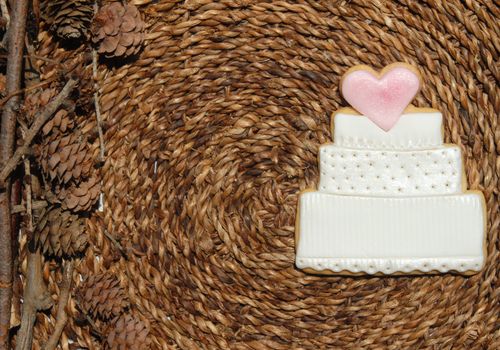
<point x="61" y="316"/>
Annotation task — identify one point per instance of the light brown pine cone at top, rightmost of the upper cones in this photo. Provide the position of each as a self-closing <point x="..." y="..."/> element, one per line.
<point x="118" y="30"/>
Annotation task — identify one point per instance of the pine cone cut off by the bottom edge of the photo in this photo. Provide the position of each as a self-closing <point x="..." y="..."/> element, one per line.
<point x="129" y="331"/>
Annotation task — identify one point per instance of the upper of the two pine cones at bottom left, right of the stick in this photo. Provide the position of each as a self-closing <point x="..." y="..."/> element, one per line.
<point x="102" y="296"/>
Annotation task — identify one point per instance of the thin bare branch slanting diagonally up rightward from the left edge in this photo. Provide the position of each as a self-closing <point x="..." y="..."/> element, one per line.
<point x="40" y="120"/>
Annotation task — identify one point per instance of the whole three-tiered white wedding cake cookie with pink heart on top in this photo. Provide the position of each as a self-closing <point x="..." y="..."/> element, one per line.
<point x="392" y="197"/>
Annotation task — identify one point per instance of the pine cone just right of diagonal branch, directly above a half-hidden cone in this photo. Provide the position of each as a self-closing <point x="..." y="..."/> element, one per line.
<point x="65" y="157"/>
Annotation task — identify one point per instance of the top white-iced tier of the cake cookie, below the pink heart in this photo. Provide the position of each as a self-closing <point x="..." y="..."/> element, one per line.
<point x="413" y="131"/>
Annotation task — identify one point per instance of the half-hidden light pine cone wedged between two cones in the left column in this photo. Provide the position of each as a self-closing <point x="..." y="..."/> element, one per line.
<point x="77" y="197"/>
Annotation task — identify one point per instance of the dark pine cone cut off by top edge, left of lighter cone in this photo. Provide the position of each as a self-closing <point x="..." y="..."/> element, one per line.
<point x="68" y="19"/>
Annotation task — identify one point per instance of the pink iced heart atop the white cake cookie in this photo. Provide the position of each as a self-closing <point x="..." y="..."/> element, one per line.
<point x="381" y="99"/>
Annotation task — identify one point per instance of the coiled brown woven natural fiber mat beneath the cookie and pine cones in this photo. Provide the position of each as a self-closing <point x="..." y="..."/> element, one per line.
<point x="214" y="129"/>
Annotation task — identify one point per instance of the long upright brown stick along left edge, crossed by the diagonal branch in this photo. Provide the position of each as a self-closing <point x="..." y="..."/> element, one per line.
<point x="17" y="30"/>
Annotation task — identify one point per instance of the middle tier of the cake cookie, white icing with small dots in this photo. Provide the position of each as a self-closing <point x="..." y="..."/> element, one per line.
<point x="350" y="171"/>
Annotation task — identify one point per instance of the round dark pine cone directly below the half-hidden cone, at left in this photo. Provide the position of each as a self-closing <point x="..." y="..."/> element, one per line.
<point x="61" y="233"/>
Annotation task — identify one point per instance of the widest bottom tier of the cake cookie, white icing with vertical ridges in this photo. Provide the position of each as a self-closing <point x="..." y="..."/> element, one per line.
<point x="338" y="233"/>
